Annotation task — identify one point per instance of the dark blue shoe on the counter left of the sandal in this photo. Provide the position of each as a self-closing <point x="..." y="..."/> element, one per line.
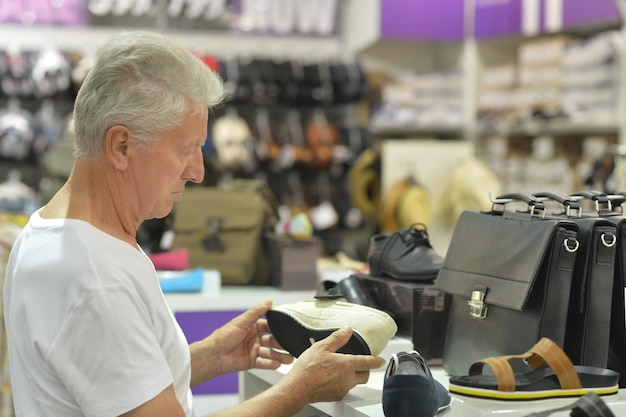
<point x="410" y="390"/>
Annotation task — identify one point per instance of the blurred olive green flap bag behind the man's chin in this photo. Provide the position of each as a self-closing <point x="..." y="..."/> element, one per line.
<point x="223" y="228"/>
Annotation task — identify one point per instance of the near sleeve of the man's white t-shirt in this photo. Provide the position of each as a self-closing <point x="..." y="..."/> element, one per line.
<point x="108" y="354"/>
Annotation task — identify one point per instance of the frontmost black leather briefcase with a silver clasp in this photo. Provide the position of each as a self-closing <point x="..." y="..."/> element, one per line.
<point x="509" y="273"/>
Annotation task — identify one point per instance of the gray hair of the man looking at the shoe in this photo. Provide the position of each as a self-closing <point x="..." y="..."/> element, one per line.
<point x="145" y="81"/>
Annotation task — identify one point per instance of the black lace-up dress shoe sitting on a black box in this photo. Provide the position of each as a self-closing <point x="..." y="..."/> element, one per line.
<point x="404" y="255"/>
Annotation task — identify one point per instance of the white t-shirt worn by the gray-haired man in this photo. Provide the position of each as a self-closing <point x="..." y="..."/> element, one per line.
<point x="89" y="331"/>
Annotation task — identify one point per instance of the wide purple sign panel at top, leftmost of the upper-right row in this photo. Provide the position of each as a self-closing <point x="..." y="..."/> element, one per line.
<point x="422" y="19"/>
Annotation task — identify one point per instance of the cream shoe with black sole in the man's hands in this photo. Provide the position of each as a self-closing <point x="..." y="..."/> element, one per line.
<point x="297" y="326"/>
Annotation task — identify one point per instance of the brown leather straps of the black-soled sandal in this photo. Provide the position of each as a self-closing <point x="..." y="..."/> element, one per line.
<point x="544" y="351"/>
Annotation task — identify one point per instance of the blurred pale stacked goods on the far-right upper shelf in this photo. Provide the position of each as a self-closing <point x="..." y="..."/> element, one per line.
<point x="555" y="79"/>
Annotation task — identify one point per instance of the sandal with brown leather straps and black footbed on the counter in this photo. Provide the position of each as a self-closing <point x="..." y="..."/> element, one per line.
<point x="551" y="375"/>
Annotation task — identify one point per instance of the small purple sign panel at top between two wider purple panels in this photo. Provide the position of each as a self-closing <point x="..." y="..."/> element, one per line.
<point x="497" y="18"/>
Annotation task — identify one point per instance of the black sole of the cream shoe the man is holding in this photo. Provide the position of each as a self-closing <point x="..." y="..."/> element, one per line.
<point x="296" y="337"/>
